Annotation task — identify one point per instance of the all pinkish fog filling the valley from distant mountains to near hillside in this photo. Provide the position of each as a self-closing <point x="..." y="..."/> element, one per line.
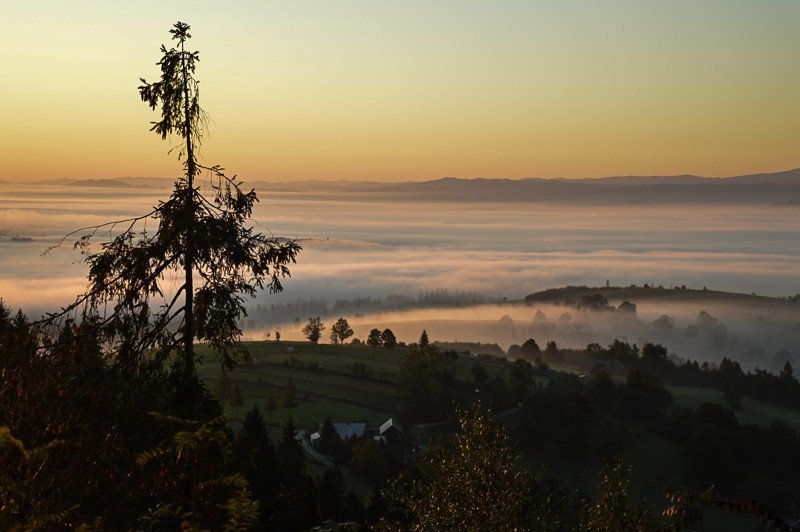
<point x="487" y="244"/>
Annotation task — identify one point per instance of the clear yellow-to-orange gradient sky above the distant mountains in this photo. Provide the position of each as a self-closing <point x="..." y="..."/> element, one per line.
<point x="411" y="90"/>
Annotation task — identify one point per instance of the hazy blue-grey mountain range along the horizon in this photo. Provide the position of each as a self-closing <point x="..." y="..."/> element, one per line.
<point x="772" y="188"/>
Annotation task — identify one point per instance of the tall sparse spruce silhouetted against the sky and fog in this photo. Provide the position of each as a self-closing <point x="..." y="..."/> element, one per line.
<point x="159" y="293"/>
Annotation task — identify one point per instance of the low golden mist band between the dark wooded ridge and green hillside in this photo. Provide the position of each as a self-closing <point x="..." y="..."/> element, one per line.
<point x="758" y="332"/>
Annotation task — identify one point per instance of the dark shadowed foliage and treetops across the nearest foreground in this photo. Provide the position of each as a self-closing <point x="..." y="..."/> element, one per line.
<point x="80" y="445"/>
